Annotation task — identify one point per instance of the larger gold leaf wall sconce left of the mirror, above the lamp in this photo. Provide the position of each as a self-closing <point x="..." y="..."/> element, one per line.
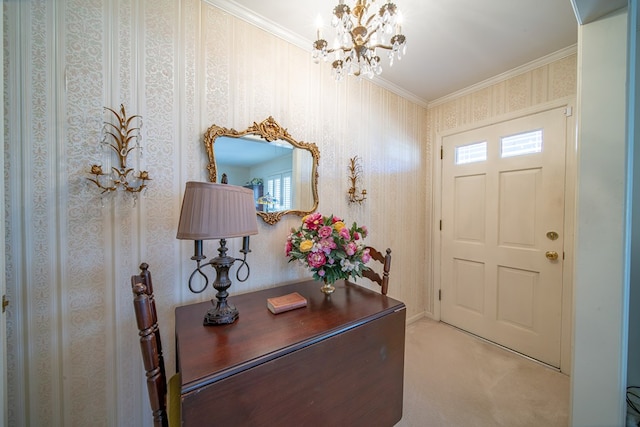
<point x="123" y="138"/>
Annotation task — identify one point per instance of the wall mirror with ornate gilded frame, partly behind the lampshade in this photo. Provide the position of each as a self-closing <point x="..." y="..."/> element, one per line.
<point x="281" y="171"/>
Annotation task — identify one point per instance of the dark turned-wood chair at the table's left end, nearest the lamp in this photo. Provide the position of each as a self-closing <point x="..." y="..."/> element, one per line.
<point x="144" y="305"/>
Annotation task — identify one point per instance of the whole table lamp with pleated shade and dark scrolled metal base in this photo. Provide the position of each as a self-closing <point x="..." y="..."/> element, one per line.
<point x="217" y="211"/>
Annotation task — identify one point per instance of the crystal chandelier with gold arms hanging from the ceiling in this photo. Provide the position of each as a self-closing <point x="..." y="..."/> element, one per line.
<point x="360" y="32"/>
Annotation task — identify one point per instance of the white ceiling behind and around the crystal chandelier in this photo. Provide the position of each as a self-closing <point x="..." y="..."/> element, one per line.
<point x="451" y="44"/>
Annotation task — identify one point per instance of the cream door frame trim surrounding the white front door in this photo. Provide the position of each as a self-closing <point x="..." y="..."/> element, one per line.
<point x="569" y="214"/>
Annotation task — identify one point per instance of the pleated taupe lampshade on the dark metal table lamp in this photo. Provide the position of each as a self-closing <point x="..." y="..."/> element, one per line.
<point x="216" y="211"/>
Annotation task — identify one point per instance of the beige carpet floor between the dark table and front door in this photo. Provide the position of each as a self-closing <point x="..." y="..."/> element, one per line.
<point x="454" y="379"/>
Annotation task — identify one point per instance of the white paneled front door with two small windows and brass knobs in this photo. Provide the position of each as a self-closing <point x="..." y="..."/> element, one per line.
<point x="502" y="227"/>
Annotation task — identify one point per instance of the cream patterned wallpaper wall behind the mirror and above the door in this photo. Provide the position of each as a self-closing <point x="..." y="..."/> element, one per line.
<point x="73" y="358"/>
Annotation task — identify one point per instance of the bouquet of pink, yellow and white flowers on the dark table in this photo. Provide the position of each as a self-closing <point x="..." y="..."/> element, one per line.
<point x="329" y="248"/>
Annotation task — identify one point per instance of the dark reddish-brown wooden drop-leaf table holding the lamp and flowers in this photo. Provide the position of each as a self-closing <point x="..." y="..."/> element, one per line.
<point x="339" y="361"/>
